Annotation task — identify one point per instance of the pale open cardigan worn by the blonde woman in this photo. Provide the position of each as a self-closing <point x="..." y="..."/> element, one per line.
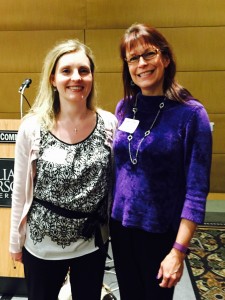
<point x="26" y="152"/>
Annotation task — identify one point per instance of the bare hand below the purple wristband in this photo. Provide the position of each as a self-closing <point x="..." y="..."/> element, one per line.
<point x="171" y="269"/>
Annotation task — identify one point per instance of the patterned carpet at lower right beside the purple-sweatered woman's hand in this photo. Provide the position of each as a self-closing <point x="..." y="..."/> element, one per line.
<point x="206" y="262"/>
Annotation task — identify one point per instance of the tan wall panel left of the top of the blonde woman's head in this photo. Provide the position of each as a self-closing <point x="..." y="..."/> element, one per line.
<point x="24" y="51"/>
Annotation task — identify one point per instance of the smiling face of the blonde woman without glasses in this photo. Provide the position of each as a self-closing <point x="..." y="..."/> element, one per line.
<point x="73" y="77"/>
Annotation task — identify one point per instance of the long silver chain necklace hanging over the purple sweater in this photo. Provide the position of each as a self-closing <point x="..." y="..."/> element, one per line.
<point x="147" y="132"/>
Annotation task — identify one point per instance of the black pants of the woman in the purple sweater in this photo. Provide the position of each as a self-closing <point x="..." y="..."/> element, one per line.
<point x="137" y="257"/>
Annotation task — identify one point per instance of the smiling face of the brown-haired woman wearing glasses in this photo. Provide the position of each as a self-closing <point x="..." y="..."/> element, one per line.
<point x="147" y="72"/>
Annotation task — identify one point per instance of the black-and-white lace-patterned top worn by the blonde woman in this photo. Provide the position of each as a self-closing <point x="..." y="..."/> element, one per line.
<point x="72" y="176"/>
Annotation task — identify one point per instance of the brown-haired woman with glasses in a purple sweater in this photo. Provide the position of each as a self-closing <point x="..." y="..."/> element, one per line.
<point x="162" y="153"/>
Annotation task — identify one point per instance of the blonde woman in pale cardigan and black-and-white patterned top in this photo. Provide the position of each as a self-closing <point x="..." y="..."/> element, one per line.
<point x="62" y="180"/>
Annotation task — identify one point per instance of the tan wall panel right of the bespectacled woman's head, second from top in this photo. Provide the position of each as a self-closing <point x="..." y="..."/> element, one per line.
<point x="198" y="48"/>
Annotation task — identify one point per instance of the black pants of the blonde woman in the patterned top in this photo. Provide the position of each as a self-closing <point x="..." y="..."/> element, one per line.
<point x="45" y="277"/>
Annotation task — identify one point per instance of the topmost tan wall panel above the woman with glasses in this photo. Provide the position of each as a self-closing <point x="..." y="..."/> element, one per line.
<point x="160" y="13"/>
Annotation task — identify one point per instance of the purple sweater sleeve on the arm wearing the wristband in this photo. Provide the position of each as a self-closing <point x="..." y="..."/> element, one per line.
<point x="197" y="160"/>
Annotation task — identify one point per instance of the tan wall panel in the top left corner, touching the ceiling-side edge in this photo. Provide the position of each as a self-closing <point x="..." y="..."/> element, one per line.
<point x="42" y="15"/>
